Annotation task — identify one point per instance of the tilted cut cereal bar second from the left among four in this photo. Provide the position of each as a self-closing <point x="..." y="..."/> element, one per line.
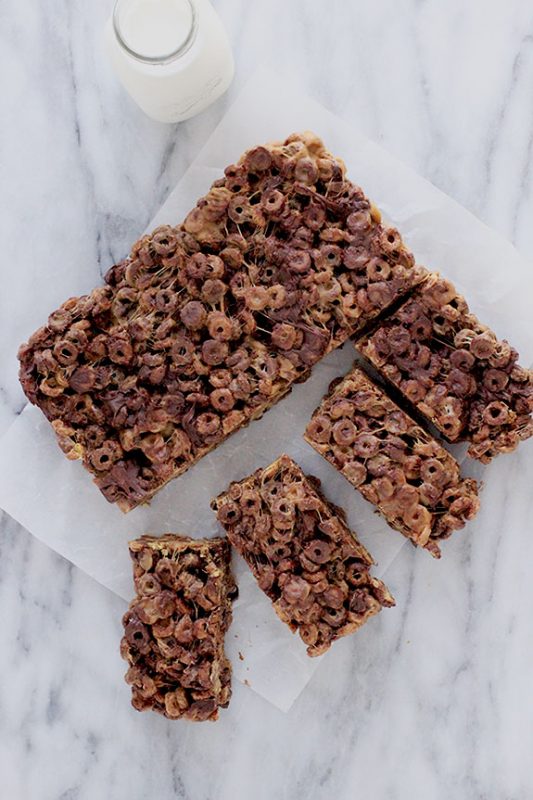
<point x="302" y="553"/>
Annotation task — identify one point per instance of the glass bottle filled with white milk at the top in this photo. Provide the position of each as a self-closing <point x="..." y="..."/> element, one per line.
<point x="172" y="56"/>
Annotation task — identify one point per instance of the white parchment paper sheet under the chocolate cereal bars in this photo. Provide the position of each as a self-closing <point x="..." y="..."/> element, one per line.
<point x="56" y="500"/>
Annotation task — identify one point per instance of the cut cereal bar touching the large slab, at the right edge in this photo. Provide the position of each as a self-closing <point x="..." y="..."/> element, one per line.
<point x="454" y="370"/>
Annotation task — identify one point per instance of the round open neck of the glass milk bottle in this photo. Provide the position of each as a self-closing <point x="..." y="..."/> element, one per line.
<point x="155" y="31"/>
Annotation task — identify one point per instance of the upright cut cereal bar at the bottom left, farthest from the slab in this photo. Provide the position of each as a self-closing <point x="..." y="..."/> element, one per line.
<point x="174" y="628"/>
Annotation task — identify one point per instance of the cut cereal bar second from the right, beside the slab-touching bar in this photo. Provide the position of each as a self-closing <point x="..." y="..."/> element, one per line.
<point x="413" y="481"/>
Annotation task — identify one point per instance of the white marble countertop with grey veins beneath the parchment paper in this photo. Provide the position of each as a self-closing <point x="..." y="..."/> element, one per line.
<point x="434" y="701"/>
